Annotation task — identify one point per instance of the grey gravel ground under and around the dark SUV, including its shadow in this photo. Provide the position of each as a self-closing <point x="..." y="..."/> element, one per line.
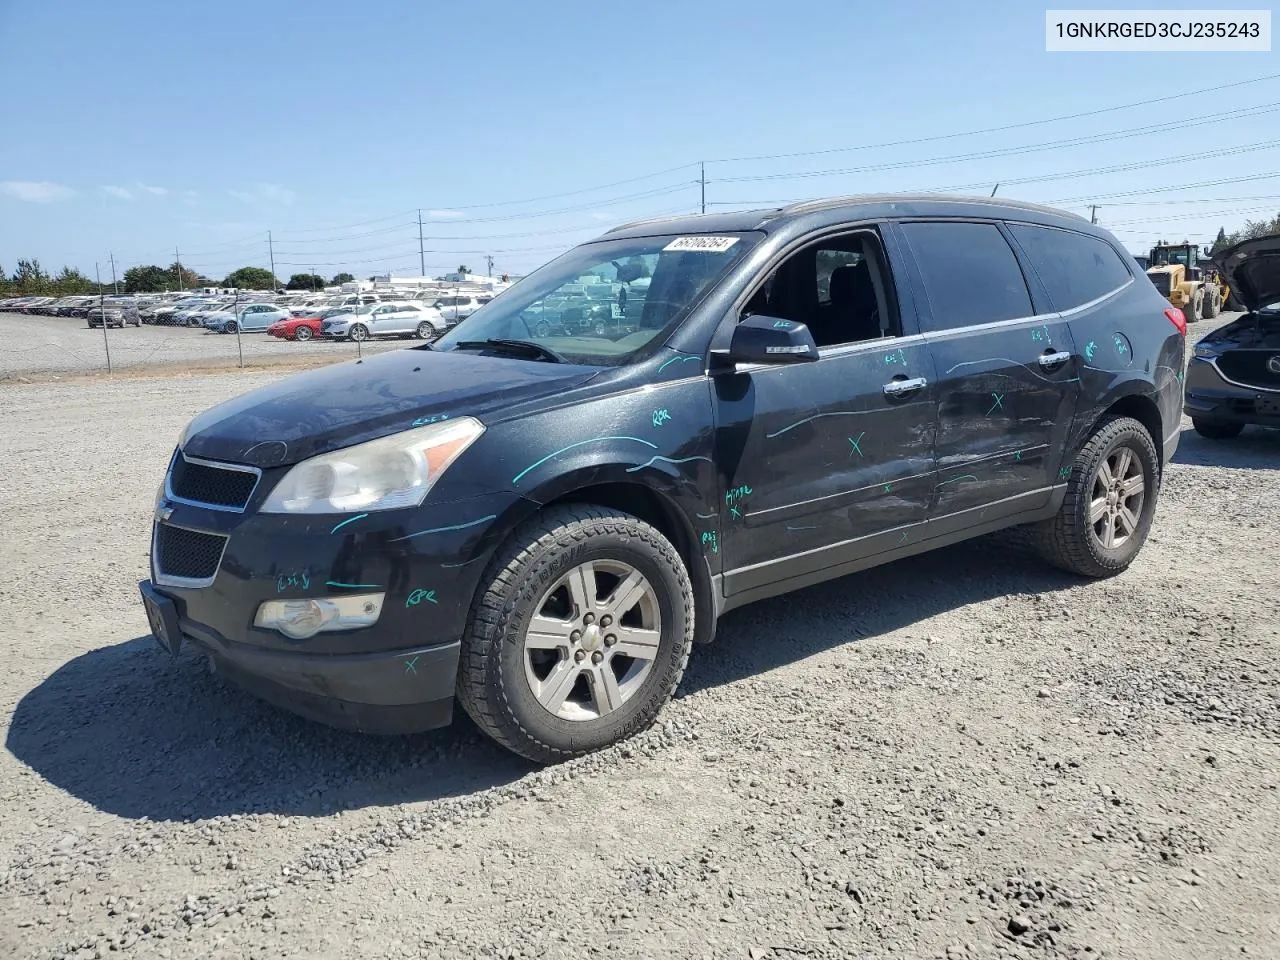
<point x="959" y="756"/>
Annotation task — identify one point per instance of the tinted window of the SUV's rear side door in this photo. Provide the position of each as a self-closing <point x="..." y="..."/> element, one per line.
<point x="971" y="275"/>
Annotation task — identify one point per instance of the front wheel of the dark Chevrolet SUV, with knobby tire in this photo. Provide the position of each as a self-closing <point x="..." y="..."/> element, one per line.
<point x="501" y="679"/>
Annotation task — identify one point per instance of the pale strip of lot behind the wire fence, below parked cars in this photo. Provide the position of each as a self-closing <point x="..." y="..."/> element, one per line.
<point x="65" y="345"/>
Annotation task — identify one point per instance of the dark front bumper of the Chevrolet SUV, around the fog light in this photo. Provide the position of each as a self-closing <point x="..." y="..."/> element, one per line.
<point x="396" y="676"/>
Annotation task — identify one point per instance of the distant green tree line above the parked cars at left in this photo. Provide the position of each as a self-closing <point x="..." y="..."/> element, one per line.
<point x="30" y="280"/>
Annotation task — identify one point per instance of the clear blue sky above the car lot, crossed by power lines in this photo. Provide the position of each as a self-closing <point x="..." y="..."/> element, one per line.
<point x="523" y="129"/>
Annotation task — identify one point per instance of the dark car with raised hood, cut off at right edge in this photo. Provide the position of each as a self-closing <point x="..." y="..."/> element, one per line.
<point x="1235" y="377"/>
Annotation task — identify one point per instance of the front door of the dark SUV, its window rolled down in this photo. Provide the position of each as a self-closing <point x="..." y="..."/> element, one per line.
<point x="828" y="461"/>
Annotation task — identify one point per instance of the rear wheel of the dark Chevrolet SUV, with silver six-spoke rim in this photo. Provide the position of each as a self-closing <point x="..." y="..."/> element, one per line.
<point x="1069" y="541"/>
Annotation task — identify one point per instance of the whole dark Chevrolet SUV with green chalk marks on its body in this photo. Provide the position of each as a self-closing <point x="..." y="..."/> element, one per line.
<point x="543" y="527"/>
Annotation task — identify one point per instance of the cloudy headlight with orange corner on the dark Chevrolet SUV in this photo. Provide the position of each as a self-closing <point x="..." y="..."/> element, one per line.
<point x="386" y="474"/>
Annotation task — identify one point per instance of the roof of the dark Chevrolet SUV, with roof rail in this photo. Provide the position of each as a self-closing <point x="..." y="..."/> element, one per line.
<point x="834" y="211"/>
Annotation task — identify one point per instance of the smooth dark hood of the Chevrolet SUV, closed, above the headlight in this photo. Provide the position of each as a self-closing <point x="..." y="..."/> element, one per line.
<point x="363" y="400"/>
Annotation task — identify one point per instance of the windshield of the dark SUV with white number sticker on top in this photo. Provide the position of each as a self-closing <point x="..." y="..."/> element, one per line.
<point x="641" y="290"/>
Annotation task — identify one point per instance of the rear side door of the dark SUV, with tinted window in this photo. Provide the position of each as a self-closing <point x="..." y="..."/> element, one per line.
<point x="1008" y="372"/>
